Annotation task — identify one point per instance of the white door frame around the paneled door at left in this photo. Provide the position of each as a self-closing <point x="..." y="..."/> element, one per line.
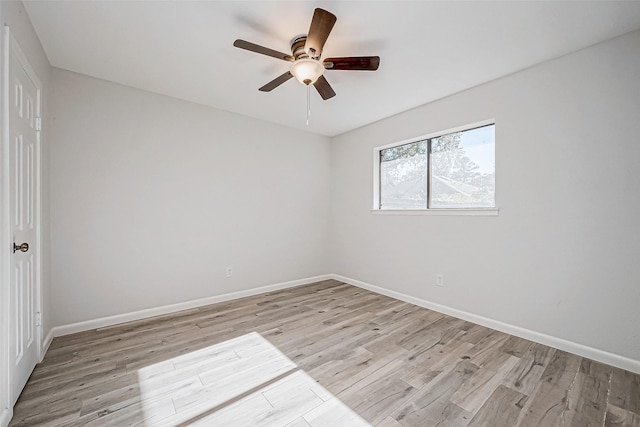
<point x="13" y="52"/>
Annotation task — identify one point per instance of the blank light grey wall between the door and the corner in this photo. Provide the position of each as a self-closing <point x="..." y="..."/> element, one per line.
<point x="152" y="198"/>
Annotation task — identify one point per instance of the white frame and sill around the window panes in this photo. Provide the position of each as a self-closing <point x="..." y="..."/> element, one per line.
<point x="494" y="211"/>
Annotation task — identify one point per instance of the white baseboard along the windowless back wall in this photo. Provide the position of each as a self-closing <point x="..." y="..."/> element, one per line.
<point x="158" y="311"/>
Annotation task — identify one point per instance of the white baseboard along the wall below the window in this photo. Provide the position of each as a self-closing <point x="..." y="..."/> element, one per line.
<point x="559" y="343"/>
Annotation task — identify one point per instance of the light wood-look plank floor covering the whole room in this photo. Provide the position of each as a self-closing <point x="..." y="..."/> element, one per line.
<point x="325" y="354"/>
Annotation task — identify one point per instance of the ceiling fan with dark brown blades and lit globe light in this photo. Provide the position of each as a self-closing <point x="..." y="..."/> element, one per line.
<point x="306" y="51"/>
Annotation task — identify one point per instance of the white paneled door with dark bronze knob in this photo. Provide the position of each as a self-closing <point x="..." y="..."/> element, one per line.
<point x="23" y="137"/>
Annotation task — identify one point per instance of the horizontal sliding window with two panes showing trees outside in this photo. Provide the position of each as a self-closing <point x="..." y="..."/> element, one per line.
<point x="449" y="170"/>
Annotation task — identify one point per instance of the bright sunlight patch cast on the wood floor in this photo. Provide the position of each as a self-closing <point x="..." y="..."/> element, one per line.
<point x="245" y="381"/>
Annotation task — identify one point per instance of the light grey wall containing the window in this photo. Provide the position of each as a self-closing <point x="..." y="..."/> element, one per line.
<point x="562" y="258"/>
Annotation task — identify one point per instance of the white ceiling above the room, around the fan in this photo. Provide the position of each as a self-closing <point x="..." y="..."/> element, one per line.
<point x="428" y="49"/>
